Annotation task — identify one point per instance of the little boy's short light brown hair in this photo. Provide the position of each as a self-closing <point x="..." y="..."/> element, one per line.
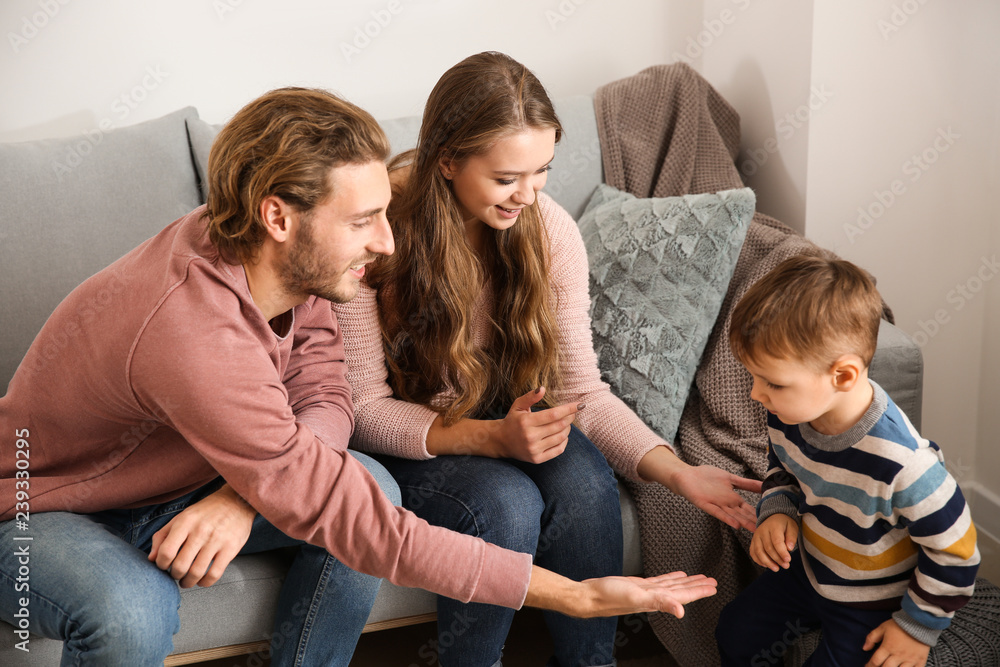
<point x="811" y="309"/>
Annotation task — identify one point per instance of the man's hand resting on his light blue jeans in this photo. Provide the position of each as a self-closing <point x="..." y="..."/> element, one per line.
<point x="199" y="543"/>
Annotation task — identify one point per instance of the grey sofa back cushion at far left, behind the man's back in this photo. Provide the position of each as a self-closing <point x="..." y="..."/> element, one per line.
<point x="69" y="207"/>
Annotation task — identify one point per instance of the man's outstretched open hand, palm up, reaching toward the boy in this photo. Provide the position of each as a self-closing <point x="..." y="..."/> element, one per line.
<point x="613" y="596"/>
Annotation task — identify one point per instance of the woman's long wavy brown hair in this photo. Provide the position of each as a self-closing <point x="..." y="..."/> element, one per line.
<point x="428" y="289"/>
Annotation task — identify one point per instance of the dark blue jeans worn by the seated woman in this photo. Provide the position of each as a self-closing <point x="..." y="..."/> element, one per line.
<point x="564" y="511"/>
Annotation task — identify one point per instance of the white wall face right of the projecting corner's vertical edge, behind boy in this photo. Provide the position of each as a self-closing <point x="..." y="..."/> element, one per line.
<point x="912" y="141"/>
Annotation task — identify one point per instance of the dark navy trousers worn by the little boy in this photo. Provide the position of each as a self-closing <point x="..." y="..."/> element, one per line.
<point x="762" y="623"/>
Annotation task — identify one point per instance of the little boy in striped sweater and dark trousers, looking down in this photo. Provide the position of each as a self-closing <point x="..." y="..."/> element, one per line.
<point x="863" y="531"/>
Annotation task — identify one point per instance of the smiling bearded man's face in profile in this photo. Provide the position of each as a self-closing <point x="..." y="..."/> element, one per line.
<point x="334" y="241"/>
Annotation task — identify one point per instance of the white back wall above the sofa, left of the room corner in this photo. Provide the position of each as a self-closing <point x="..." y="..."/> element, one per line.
<point x="73" y="72"/>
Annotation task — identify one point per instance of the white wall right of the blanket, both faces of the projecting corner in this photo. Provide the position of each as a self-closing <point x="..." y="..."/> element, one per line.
<point x="898" y="105"/>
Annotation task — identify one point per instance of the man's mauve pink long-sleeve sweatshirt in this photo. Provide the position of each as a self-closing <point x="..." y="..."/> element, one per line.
<point x="159" y="374"/>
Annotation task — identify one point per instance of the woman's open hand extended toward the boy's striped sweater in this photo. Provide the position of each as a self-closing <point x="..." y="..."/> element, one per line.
<point x="709" y="488"/>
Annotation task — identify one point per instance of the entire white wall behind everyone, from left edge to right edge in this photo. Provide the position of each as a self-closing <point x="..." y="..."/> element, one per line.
<point x="833" y="108"/>
